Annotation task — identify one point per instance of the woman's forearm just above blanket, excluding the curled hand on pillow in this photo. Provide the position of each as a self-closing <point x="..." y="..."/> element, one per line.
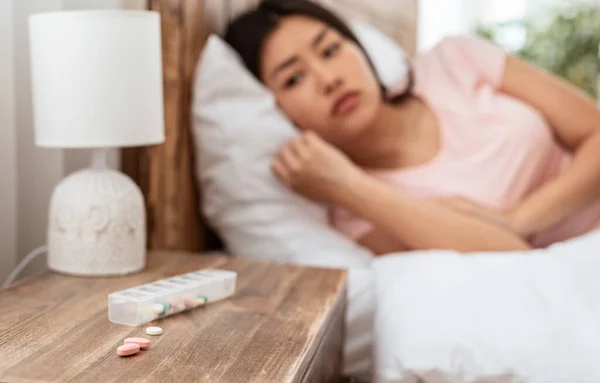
<point x="417" y="223"/>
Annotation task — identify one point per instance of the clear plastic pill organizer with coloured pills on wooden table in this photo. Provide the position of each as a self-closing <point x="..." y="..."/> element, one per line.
<point x="144" y="303"/>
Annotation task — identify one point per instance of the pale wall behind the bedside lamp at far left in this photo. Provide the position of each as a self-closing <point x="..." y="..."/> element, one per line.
<point x="29" y="173"/>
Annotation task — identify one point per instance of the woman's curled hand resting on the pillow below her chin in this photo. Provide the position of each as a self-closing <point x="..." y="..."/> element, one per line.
<point x="315" y="169"/>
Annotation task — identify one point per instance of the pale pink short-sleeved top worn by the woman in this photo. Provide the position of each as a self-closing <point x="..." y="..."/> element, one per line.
<point x="494" y="149"/>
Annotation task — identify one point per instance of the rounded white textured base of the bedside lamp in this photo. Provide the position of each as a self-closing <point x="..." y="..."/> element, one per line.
<point x="97" y="225"/>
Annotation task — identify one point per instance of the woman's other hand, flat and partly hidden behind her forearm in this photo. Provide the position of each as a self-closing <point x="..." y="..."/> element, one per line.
<point x="494" y="216"/>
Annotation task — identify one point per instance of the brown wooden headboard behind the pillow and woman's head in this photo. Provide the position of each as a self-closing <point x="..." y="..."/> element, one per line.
<point x="165" y="173"/>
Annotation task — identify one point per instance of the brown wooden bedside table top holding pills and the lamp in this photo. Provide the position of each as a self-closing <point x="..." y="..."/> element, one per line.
<point x="55" y="328"/>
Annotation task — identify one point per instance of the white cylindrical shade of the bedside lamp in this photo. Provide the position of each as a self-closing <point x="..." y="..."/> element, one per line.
<point x="96" y="78"/>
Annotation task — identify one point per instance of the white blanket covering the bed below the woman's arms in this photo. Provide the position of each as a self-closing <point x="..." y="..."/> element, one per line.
<point x="534" y="315"/>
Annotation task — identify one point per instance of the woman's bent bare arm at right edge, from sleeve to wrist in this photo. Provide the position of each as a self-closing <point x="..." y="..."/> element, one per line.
<point x="576" y="123"/>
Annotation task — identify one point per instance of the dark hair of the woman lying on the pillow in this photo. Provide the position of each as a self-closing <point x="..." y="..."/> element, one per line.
<point x="247" y="33"/>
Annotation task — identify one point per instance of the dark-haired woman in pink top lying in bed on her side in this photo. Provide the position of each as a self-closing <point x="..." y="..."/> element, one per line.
<point x="477" y="150"/>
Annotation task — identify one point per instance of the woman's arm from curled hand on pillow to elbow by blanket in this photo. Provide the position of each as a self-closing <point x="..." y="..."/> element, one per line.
<point x="318" y="171"/>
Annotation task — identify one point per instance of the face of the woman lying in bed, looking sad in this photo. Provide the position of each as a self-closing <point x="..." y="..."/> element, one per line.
<point x="321" y="80"/>
